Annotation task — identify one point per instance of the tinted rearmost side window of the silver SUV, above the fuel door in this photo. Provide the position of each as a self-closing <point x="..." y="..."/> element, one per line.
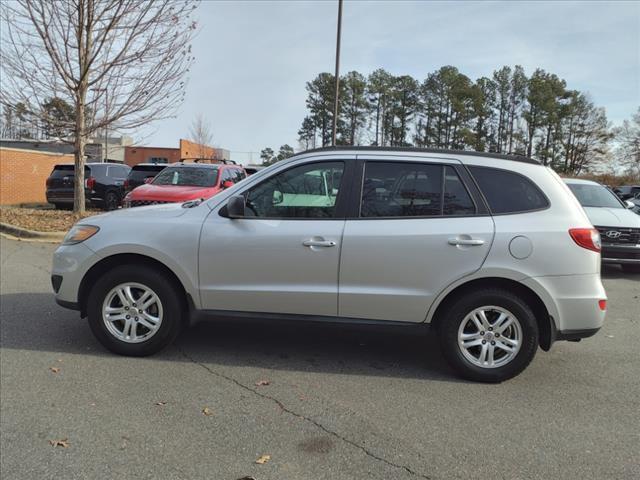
<point x="508" y="192"/>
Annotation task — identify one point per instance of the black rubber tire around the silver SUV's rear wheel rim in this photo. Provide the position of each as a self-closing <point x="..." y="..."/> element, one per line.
<point x="451" y="320"/>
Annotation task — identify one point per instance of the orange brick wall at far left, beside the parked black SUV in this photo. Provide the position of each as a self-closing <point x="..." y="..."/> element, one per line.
<point x="23" y="174"/>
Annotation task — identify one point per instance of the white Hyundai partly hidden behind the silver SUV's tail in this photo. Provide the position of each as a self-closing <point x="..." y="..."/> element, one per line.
<point x="616" y="221"/>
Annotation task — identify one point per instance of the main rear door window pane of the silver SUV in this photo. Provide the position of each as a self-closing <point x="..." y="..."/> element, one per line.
<point x="401" y="190"/>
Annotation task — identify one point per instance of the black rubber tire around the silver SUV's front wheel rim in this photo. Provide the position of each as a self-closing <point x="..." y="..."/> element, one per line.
<point x="172" y="305"/>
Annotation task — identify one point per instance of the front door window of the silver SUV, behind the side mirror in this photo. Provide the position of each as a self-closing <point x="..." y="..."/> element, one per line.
<point x="307" y="191"/>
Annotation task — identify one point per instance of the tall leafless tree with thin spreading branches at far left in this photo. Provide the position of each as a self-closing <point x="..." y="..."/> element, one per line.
<point x="120" y="63"/>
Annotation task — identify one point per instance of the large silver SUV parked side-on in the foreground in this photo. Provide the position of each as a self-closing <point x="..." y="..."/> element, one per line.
<point x="493" y="251"/>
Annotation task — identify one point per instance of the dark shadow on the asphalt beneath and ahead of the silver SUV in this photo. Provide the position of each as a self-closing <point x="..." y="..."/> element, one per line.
<point x="32" y="321"/>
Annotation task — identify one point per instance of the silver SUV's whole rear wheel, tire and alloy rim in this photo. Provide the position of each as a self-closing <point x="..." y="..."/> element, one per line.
<point x="489" y="335"/>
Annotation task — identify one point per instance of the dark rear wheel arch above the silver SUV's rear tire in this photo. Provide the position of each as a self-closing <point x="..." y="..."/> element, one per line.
<point x="543" y="317"/>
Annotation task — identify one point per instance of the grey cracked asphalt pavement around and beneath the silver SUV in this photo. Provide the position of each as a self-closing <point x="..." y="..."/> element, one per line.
<point x="338" y="404"/>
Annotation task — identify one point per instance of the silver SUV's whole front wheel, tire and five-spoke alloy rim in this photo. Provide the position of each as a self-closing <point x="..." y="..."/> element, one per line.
<point x="133" y="310"/>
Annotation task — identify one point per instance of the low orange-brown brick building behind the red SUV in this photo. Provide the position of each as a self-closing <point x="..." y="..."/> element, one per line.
<point x="187" y="151"/>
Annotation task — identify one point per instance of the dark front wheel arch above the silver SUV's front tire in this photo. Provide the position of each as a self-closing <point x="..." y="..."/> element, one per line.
<point x="115" y="260"/>
